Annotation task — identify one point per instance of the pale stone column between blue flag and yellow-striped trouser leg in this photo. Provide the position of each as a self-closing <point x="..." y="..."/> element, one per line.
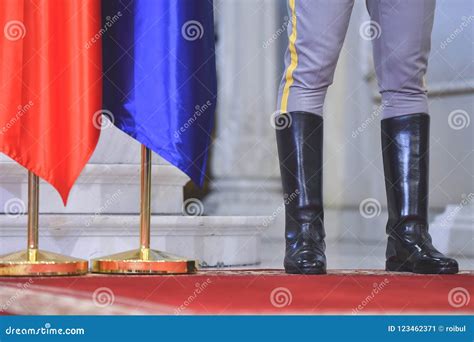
<point x="244" y="165"/>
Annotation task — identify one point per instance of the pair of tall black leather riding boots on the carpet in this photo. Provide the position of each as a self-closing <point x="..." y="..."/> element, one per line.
<point x="405" y="149"/>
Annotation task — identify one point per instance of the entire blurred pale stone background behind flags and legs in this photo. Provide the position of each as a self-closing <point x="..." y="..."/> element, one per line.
<point x="236" y="220"/>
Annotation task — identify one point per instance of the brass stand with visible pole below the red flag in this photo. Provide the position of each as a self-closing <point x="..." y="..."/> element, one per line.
<point x="34" y="262"/>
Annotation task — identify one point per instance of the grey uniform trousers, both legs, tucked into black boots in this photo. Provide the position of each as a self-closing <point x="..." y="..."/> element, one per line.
<point x="400" y="31"/>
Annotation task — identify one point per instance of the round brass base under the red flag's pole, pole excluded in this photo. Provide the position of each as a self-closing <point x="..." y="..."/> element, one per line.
<point x="38" y="263"/>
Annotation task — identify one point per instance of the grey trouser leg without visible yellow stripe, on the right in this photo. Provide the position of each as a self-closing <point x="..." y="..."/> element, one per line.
<point x="401" y="51"/>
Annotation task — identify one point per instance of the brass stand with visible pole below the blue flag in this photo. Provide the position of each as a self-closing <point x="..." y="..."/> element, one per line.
<point x="144" y="260"/>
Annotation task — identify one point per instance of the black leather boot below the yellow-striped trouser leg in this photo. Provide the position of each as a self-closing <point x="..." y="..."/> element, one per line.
<point x="300" y="150"/>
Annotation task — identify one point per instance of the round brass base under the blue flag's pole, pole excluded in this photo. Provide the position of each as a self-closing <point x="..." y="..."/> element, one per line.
<point x="144" y="261"/>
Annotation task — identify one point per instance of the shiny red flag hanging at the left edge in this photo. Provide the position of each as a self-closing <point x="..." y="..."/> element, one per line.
<point x="50" y="86"/>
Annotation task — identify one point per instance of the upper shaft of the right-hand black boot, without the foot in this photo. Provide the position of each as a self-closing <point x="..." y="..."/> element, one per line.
<point x="405" y="149"/>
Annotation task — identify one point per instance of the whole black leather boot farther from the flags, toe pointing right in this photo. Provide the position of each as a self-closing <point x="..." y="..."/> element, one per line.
<point x="405" y="149"/>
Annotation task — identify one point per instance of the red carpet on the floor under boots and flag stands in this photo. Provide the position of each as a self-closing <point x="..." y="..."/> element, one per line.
<point x="241" y="292"/>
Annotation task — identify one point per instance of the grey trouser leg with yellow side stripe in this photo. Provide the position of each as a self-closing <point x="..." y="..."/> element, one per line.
<point x="316" y="33"/>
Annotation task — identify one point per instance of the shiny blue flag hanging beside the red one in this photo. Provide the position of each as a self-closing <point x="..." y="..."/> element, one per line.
<point x="160" y="76"/>
